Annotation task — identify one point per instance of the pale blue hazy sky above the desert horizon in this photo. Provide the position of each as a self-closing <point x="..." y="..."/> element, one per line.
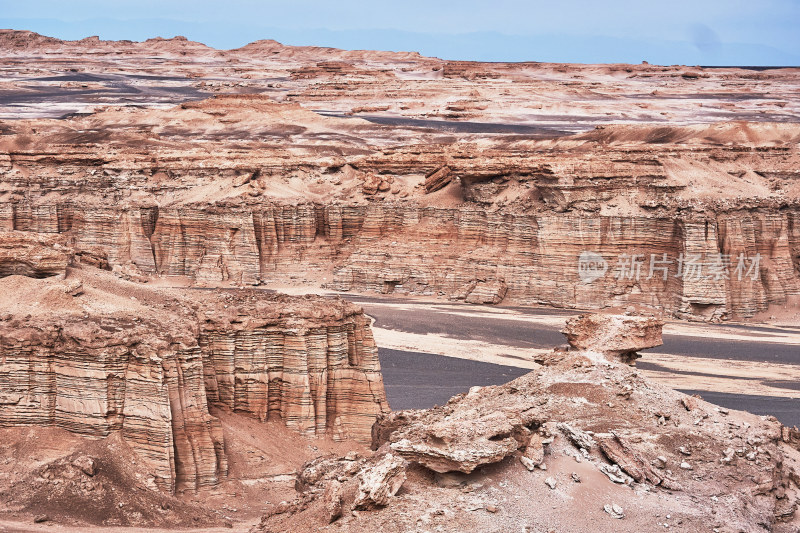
<point x="693" y="32"/>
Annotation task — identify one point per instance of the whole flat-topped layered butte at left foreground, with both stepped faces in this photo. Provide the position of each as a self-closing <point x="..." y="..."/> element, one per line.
<point x="79" y="363"/>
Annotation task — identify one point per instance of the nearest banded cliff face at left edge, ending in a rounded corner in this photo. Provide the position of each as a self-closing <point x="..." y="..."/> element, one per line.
<point x="97" y="377"/>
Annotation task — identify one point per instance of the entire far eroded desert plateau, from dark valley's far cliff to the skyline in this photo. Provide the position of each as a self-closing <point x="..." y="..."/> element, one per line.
<point x="422" y="176"/>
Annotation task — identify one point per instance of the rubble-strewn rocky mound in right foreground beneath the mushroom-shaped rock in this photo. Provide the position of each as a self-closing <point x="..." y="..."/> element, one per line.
<point x="580" y="433"/>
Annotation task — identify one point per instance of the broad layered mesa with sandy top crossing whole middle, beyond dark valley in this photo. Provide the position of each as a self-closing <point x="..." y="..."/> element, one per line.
<point x="699" y="222"/>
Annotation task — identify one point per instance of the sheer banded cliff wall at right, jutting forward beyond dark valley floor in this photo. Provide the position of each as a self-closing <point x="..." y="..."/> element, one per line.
<point x="539" y="258"/>
